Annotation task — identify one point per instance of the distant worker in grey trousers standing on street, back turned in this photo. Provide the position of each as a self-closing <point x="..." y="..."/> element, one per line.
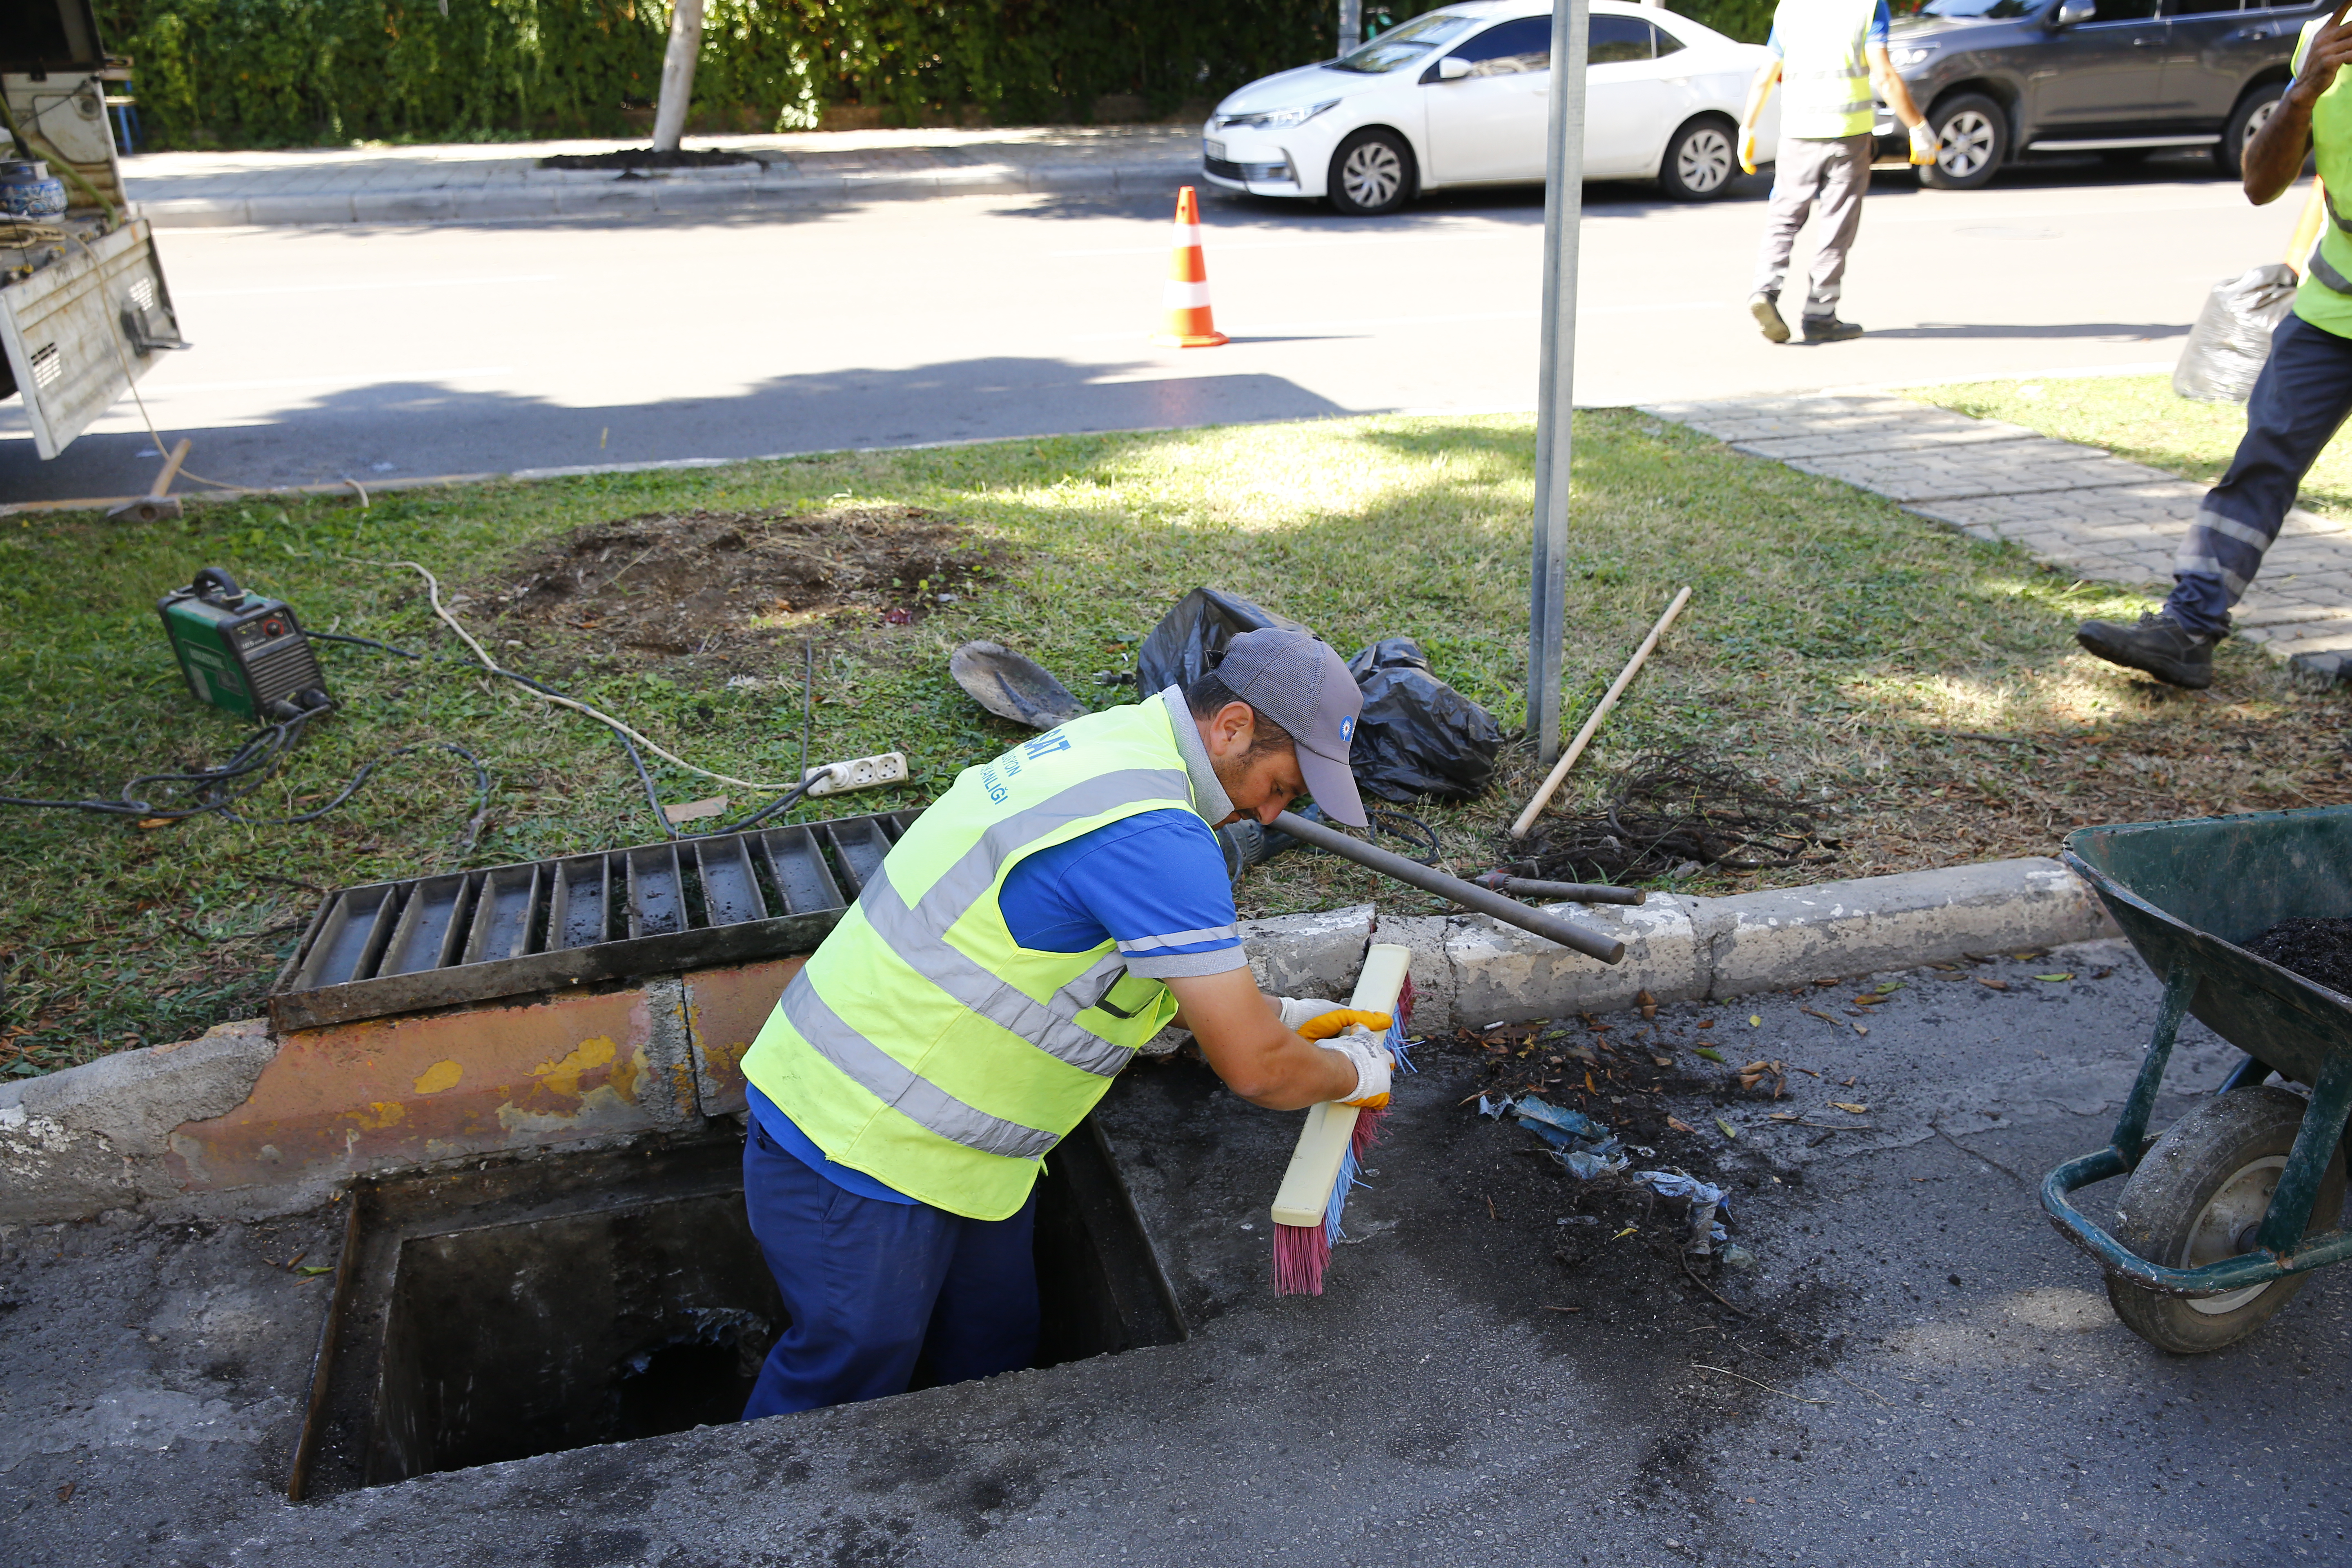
<point x="1829" y="53"/>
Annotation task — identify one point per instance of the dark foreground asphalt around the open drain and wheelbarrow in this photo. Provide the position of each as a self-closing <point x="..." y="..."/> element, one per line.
<point x="1918" y="1372"/>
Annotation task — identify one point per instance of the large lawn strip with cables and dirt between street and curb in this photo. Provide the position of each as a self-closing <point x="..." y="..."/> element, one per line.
<point x="1833" y="645"/>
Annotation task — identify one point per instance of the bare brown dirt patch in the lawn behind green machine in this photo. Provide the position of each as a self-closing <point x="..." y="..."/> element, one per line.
<point x="697" y="584"/>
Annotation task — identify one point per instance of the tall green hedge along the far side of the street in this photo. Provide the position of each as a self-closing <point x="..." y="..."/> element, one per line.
<point x="333" y="72"/>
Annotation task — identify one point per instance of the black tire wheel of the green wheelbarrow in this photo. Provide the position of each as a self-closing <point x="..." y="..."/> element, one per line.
<point x="2198" y="1198"/>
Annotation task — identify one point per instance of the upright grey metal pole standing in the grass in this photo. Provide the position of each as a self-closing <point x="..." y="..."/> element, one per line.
<point x="1563" y="215"/>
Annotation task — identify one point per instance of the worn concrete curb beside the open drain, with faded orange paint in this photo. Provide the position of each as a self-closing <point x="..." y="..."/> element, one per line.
<point x="138" y="1130"/>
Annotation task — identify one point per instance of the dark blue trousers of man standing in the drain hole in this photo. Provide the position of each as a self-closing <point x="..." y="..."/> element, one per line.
<point x="876" y="1287"/>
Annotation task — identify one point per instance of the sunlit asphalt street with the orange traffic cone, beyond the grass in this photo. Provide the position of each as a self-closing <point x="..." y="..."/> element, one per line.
<point x="490" y="349"/>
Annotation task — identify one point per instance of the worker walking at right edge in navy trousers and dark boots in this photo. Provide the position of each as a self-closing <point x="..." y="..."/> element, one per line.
<point x="2299" y="401"/>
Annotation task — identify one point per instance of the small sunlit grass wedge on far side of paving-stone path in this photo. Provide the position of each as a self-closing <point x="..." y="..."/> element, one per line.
<point x="2146" y="422"/>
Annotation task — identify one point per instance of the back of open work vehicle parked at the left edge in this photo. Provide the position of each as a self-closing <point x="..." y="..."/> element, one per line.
<point x="83" y="302"/>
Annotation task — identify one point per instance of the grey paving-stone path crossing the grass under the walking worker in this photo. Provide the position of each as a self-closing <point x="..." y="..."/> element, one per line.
<point x="2073" y="507"/>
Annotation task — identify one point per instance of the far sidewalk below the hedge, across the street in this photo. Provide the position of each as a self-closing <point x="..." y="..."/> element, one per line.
<point x="796" y="170"/>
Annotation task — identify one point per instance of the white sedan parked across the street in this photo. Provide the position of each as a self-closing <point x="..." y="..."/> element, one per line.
<point x="1462" y="98"/>
